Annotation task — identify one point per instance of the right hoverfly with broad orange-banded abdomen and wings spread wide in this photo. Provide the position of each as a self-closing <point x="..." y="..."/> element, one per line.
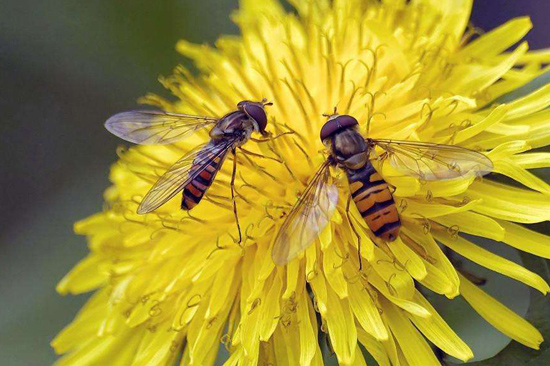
<point x="353" y="153"/>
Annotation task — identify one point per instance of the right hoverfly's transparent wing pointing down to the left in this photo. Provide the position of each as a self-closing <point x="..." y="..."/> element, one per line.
<point x="308" y="217"/>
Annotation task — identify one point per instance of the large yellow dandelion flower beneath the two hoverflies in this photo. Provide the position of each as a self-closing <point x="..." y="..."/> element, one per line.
<point x="174" y="285"/>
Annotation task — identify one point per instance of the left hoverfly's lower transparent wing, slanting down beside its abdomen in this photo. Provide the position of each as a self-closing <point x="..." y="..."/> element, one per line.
<point x="182" y="173"/>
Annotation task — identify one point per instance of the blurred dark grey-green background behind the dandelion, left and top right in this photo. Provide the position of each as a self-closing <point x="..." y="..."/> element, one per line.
<point x="66" y="66"/>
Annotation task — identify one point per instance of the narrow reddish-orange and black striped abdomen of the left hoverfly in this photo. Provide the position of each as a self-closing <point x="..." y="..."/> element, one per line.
<point x="195" y="190"/>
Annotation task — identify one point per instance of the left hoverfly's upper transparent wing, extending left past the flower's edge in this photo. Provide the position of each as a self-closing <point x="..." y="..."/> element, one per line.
<point x="155" y="127"/>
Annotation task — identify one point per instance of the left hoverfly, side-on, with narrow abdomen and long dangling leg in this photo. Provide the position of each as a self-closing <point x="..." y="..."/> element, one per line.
<point x="193" y="173"/>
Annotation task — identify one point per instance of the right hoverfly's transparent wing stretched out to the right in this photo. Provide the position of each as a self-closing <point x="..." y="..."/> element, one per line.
<point x="430" y="161"/>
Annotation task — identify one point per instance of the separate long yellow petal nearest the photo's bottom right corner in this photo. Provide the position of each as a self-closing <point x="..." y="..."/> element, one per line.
<point x="499" y="316"/>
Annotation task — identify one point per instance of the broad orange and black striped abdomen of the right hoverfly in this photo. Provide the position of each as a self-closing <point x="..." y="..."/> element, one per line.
<point x="375" y="202"/>
